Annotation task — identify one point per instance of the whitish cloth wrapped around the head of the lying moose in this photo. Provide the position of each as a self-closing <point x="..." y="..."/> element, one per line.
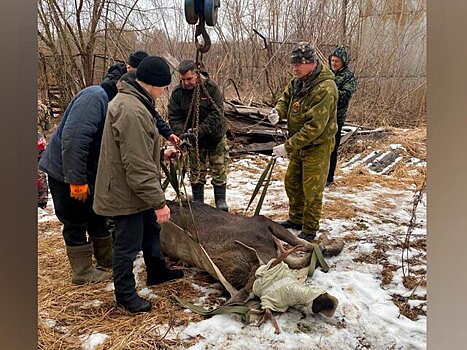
<point x="279" y="289"/>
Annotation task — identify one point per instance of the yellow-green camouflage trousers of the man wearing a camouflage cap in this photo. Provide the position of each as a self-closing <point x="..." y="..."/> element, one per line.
<point x="305" y="180"/>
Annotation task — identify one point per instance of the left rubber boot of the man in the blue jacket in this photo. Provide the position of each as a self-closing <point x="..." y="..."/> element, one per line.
<point x="80" y="258"/>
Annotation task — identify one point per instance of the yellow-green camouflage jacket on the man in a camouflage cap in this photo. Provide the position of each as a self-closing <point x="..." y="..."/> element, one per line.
<point x="310" y="108"/>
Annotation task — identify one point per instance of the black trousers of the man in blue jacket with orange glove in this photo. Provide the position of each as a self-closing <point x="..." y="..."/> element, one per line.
<point x="77" y="217"/>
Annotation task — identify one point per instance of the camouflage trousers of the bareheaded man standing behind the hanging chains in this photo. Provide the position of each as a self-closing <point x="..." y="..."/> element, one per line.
<point x="214" y="160"/>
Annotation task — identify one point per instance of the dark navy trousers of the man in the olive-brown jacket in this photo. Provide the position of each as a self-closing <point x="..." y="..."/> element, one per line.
<point x="133" y="233"/>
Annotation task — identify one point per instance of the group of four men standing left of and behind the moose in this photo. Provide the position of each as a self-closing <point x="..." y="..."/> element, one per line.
<point x="103" y="161"/>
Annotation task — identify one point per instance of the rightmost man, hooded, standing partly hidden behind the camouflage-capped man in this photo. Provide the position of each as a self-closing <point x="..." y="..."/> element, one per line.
<point x="346" y="85"/>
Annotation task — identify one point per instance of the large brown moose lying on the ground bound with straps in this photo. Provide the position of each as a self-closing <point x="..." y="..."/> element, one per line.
<point x="231" y="247"/>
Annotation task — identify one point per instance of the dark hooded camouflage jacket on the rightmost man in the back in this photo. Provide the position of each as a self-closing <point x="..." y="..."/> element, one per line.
<point x="346" y="84"/>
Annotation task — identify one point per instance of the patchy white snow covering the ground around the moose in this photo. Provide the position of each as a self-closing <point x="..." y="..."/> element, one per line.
<point x="366" y="317"/>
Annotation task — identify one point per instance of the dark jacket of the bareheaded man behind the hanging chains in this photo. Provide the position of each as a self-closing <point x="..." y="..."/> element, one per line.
<point x="212" y="124"/>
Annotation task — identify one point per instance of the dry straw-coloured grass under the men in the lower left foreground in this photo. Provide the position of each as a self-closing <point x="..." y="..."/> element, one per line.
<point x="82" y="310"/>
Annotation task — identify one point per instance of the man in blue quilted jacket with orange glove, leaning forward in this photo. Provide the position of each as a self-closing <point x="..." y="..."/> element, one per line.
<point x="70" y="162"/>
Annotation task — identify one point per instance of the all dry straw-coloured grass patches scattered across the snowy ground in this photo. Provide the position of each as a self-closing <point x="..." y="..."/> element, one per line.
<point x="82" y="310"/>
